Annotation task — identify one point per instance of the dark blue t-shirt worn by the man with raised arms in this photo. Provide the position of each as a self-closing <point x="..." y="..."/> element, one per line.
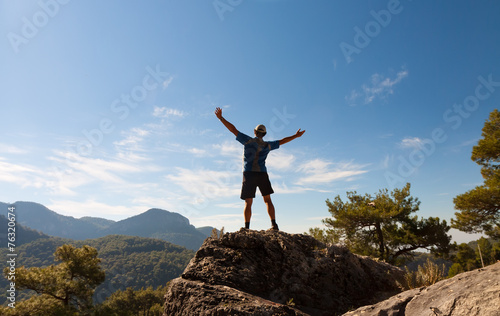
<point x="255" y="153"/>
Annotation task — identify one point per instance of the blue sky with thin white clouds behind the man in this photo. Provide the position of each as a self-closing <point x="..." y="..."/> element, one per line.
<point x="108" y="107"/>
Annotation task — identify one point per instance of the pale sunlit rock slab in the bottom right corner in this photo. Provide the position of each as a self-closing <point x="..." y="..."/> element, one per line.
<point x="474" y="293"/>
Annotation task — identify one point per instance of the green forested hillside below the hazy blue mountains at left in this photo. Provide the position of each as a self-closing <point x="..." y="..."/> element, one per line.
<point x="128" y="261"/>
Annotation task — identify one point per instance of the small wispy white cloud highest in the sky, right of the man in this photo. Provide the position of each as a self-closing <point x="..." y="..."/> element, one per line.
<point x="379" y="87"/>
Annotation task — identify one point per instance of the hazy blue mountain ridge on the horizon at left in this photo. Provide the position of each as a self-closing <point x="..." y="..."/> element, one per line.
<point x="153" y="223"/>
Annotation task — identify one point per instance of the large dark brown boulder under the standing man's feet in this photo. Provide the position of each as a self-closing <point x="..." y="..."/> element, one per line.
<point x="275" y="273"/>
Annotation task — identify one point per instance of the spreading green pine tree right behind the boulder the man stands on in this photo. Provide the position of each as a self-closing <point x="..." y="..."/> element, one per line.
<point x="383" y="226"/>
